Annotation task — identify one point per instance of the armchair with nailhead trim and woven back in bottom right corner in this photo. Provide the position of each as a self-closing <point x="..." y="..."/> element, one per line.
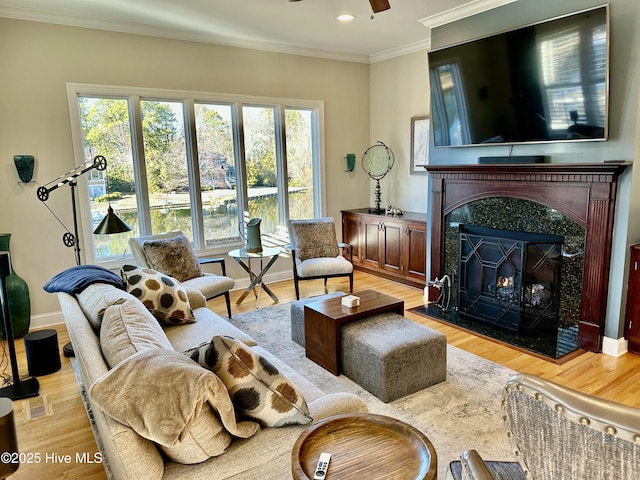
<point x="558" y="433"/>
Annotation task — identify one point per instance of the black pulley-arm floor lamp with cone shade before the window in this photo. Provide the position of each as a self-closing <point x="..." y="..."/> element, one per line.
<point x="110" y="224"/>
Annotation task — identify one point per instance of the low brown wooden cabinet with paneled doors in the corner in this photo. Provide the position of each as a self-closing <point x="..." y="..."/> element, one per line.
<point x="390" y="246"/>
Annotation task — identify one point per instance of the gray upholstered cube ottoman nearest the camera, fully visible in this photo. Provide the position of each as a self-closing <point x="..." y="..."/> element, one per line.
<point x="392" y="356"/>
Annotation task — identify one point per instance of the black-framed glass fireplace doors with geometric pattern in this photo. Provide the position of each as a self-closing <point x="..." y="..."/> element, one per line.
<point x="510" y="279"/>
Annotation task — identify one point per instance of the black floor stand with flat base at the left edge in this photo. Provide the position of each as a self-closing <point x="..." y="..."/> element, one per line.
<point x="19" y="389"/>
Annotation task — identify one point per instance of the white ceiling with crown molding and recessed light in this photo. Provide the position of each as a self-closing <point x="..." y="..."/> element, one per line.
<point x="305" y="27"/>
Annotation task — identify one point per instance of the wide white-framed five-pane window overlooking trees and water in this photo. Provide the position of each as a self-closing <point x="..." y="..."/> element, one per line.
<point x="195" y="162"/>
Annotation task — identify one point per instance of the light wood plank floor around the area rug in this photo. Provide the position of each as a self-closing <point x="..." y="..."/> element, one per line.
<point x="59" y="429"/>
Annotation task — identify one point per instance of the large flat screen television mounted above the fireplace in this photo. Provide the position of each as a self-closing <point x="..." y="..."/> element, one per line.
<point x="546" y="82"/>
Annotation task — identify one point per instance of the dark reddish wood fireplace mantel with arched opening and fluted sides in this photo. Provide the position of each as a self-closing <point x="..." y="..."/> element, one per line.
<point x="585" y="193"/>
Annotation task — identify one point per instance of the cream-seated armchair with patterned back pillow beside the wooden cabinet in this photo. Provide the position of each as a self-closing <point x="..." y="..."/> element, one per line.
<point x="316" y="253"/>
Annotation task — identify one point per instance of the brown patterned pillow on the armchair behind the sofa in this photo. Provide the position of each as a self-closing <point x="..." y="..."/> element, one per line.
<point x="173" y="256"/>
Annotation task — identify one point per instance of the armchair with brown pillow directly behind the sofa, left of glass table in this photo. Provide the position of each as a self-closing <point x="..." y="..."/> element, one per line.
<point x="172" y="254"/>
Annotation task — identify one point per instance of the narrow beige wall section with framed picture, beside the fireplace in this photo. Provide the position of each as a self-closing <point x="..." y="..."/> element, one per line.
<point x="399" y="91"/>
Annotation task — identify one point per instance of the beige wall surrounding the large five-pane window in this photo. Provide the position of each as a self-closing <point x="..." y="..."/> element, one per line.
<point x="39" y="59"/>
